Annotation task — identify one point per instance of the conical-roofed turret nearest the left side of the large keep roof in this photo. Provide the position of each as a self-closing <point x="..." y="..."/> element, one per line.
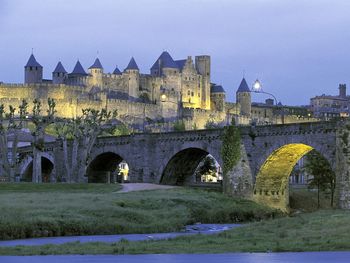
<point x="132" y="75"/>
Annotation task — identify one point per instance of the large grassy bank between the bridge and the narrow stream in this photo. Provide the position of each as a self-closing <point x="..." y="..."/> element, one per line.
<point x="30" y="210"/>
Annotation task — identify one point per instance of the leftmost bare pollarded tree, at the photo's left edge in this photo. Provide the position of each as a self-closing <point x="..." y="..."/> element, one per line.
<point x="11" y="127"/>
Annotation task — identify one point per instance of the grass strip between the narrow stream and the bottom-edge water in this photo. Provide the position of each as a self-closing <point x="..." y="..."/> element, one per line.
<point x="326" y="230"/>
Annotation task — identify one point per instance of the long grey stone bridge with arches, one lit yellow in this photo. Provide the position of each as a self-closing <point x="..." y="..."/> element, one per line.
<point x="268" y="155"/>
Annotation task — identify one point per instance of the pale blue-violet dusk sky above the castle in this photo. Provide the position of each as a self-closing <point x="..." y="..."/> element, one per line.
<point x="297" y="48"/>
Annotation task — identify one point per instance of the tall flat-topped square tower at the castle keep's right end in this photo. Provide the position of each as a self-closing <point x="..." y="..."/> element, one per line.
<point x="203" y="68"/>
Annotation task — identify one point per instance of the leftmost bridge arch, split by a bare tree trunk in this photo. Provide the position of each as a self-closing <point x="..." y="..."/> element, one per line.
<point x="47" y="168"/>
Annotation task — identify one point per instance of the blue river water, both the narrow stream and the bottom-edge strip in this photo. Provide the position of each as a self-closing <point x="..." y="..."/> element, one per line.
<point x="297" y="257"/>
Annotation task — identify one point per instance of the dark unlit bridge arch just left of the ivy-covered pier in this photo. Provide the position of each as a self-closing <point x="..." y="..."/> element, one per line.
<point x="180" y="167"/>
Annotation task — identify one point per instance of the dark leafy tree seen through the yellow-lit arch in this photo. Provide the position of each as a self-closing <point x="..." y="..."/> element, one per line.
<point x="323" y="177"/>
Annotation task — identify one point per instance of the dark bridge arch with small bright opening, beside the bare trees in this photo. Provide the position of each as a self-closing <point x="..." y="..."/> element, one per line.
<point x="104" y="165"/>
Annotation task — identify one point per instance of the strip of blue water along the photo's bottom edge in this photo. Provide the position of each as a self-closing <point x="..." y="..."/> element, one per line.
<point x="307" y="257"/>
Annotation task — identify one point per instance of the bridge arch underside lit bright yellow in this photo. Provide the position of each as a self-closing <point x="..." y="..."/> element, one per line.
<point x="272" y="181"/>
